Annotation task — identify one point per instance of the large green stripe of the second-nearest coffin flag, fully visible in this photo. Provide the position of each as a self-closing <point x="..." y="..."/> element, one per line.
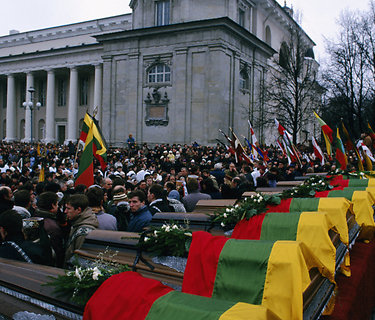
<point x="241" y="271"/>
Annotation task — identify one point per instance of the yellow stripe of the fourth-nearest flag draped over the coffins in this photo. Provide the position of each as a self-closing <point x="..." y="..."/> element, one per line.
<point x="336" y="209"/>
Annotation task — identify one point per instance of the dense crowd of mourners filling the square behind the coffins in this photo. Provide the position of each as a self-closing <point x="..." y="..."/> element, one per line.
<point x="138" y="182"/>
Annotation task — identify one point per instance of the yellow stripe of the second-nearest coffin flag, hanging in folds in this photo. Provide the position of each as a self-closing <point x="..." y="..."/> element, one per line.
<point x="287" y="277"/>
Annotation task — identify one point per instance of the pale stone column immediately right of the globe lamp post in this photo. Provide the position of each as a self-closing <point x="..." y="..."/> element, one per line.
<point x="50" y="108"/>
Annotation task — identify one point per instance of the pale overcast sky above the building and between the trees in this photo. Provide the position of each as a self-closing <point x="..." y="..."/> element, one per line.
<point x="318" y="16"/>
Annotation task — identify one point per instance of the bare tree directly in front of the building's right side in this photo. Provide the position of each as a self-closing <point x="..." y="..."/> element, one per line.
<point x="292" y="90"/>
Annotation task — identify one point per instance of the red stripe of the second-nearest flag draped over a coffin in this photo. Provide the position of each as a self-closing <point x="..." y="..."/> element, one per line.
<point x="201" y="267"/>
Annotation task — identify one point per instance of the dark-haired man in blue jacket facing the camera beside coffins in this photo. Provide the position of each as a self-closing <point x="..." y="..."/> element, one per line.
<point x="140" y="215"/>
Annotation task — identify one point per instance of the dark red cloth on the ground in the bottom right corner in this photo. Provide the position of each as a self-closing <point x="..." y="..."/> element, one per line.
<point x="356" y="295"/>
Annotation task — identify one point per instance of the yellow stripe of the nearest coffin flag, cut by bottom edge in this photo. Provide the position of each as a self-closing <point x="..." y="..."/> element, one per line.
<point x="245" y="311"/>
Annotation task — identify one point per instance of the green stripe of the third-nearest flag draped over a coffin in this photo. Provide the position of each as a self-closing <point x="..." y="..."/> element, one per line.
<point x="280" y="226"/>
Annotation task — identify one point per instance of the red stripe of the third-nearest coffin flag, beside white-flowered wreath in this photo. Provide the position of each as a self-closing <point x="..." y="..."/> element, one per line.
<point x="249" y="229"/>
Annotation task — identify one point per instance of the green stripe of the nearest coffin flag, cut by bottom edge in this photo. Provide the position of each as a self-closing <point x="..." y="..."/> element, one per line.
<point x="182" y="306"/>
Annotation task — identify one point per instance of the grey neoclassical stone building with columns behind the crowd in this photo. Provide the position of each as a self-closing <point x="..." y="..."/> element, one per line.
<point x="172" y="71"/>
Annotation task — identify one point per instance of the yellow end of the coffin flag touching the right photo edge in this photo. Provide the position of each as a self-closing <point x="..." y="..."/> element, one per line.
<point x="364" y="213"/>
